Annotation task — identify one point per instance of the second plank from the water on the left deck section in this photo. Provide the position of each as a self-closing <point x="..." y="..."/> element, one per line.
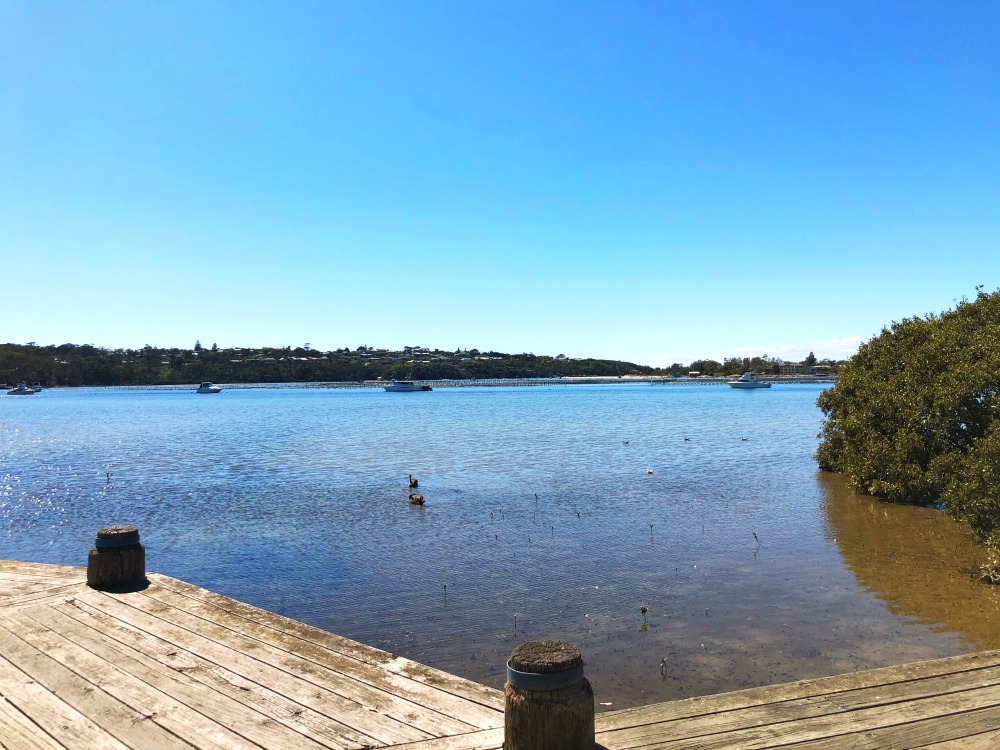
<point x="384" y="701"/>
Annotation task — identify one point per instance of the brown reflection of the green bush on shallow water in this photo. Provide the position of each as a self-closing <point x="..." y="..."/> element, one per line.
<point x="916" y="561"/>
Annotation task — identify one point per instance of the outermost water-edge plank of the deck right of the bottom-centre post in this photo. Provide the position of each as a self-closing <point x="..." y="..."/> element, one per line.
<point x="817" y="687"/>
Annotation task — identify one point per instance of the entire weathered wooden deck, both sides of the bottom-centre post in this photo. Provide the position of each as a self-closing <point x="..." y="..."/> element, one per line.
<point x="176" y="666"/>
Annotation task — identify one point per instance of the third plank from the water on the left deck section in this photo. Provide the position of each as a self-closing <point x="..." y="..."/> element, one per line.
<point x="244" y="659"/>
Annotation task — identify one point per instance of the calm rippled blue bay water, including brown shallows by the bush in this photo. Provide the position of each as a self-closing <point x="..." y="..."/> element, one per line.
<point x="538" y="517"/>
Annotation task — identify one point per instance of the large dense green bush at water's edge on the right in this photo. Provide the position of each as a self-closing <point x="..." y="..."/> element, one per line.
<point x="915" y="417"/>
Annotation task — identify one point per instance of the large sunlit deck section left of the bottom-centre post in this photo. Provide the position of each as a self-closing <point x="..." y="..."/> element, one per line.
<point x="176" y="666"/>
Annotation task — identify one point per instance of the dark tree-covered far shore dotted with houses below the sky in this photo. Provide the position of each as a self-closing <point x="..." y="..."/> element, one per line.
<point x="88" y="365"/>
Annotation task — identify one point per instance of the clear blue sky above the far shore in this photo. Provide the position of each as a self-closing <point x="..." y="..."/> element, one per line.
<point x="650" y="181"/>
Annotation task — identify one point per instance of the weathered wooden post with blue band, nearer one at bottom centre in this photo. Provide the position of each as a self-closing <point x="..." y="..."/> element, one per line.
<point x="548" y="702"/>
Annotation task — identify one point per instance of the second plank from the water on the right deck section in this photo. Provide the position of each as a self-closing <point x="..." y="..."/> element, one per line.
<point x="803" y="708"/>
